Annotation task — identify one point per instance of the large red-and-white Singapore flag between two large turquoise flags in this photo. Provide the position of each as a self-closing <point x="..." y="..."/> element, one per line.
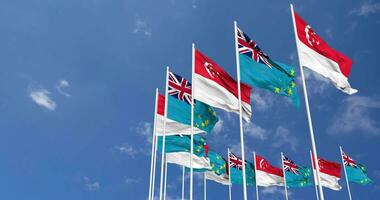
<point x="217" y="88"/>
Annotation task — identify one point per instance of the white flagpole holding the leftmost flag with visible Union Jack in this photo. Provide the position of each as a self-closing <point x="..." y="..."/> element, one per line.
<point x="164" y="131"/>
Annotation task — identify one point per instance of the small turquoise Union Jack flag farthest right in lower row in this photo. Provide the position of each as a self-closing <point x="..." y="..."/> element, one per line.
<point x="355" y="172"/>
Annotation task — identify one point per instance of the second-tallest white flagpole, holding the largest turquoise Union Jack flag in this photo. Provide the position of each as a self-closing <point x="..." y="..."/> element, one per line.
<point x="240" y="113"/>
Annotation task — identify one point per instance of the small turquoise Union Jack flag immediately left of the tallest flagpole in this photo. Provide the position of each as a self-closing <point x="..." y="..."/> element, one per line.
<point x="296" y="176"/>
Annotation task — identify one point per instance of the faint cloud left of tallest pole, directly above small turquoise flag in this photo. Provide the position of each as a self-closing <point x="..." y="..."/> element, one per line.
<point x="283" y="137"/>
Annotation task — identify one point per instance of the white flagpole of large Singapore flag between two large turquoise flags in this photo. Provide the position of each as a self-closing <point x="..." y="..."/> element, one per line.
<point x="192" y="121"/>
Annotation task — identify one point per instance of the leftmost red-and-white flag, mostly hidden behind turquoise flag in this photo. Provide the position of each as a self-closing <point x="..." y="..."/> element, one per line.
<point x="172" y="127"/>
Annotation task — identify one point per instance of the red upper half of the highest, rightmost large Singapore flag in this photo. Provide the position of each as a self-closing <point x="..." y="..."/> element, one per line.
<point x="308" y="37"/>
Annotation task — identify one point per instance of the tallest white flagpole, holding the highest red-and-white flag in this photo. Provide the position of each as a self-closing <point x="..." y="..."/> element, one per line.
<point x="315" y="155"/>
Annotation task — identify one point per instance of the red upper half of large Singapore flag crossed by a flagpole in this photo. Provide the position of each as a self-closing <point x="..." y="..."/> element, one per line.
<point x="207" y="68"/>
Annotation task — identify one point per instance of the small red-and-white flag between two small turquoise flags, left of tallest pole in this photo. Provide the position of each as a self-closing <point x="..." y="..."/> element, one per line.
<point x="266" y="174"/>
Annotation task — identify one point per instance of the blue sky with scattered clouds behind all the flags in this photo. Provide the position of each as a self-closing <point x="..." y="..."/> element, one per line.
<point x="78" y="78"/>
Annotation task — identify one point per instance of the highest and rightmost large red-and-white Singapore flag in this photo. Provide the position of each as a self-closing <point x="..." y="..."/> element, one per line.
<point x="318" y="56"/>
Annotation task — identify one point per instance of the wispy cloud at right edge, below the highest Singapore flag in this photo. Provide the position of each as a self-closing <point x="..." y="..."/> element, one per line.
<point x="355" y="115"/>
